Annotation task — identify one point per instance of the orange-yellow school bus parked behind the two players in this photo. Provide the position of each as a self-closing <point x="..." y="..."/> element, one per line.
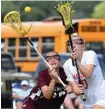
<point x="47" y="36"/>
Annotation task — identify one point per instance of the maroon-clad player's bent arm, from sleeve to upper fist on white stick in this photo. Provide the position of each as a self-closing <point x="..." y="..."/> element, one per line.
<point x="47" y="89"/>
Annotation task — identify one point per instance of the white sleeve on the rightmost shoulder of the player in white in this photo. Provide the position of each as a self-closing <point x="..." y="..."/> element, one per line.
<point x="91" y="58"/>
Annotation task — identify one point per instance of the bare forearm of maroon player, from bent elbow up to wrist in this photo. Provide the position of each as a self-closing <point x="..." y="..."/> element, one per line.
<point x="50" y="89"/>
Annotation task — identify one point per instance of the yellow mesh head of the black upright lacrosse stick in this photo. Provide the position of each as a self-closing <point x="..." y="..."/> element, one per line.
<point x="65" y="10"/>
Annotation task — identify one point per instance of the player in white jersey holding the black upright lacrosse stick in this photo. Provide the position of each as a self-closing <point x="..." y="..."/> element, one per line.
<point x="90" y="73"/>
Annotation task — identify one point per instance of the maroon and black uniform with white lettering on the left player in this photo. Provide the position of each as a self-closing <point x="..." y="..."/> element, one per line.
<point x="36" y="99"/>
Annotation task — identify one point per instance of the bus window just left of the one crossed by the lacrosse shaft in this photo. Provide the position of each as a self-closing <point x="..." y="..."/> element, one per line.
<point x="23" y="48"/>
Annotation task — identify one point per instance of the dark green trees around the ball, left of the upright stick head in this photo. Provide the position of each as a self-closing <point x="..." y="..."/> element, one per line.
<point x="40" y="9"/>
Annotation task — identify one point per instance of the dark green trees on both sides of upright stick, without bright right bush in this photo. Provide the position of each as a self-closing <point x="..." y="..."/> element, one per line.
<point x="44" y="9"/>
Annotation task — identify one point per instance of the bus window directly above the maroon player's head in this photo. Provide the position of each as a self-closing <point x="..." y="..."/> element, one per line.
<point x="47" y="44"/>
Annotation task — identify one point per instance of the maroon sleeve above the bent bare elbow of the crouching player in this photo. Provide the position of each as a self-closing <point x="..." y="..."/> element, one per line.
<point x="42" y="79"/>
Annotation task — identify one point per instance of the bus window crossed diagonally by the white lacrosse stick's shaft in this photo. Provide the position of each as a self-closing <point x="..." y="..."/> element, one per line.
<point x="33" y="53"/>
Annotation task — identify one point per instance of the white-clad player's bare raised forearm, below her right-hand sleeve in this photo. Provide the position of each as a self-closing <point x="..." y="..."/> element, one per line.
<point x="83" y="70"/>
